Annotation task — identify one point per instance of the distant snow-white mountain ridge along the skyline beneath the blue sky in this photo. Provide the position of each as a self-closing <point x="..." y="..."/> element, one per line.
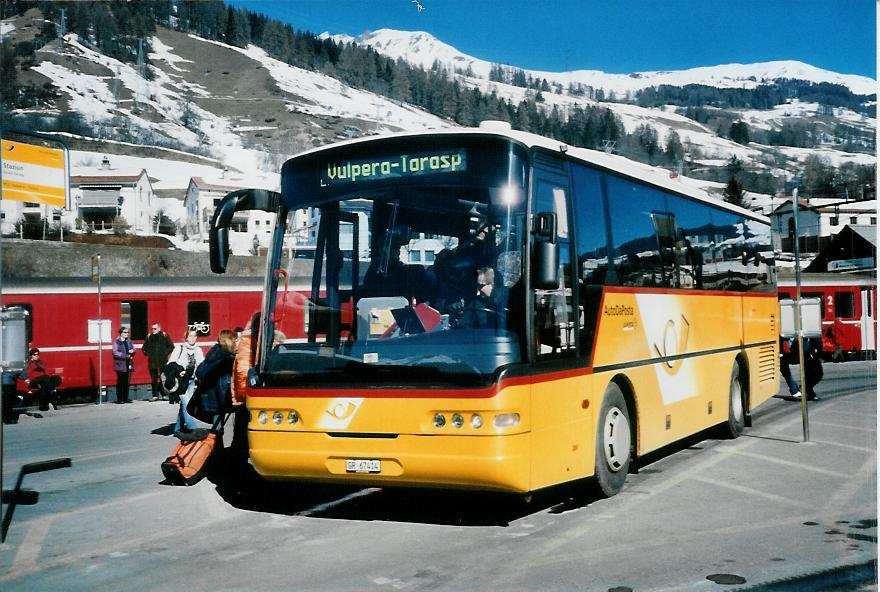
<point x="423" y="49"/>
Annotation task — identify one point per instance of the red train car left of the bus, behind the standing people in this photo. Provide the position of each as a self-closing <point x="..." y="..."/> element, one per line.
<point x="60" y="310"/>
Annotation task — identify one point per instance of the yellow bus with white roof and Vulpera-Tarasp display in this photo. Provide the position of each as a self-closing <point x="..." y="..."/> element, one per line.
<point x="491" y="309"/>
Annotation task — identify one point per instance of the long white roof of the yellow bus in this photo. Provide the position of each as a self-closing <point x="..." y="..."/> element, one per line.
<point x="651" y="175"/>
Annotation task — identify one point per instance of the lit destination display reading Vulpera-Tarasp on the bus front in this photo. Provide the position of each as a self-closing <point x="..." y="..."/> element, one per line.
<point x="394" y="167"/>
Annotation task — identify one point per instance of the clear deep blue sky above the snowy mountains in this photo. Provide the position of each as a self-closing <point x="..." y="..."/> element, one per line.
<point x="616" y="36"/>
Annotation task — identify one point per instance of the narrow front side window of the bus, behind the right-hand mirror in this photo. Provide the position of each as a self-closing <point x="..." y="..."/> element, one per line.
<point x="554" y="314"/>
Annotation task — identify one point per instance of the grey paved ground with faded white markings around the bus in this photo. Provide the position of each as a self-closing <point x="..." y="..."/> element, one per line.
<point x="763" y="512"/>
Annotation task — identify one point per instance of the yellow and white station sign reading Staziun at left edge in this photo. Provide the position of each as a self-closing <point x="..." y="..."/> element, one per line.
<point x="33" y="173"/>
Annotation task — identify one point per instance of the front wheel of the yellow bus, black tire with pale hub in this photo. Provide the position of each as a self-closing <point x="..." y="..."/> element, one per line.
<point x="613" y="442"/>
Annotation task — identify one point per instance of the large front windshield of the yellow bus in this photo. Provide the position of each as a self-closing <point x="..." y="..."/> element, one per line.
<point x="409" y="282"/>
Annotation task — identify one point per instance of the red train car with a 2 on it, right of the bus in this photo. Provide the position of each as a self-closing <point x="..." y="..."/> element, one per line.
<point x="849" y="303"/>
